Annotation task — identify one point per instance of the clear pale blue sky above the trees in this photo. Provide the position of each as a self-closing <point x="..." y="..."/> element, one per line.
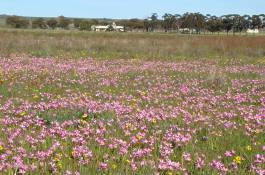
<point x="127" y="8"/>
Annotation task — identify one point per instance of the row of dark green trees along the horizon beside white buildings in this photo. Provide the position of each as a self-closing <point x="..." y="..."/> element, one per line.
<point x="191" y="22"/>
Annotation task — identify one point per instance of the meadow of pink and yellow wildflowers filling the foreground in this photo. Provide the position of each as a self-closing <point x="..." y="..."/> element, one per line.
<point x="92" y="116"/>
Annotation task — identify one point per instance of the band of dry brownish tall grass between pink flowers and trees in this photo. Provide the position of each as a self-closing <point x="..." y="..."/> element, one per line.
<point x="75" y="44"/>
